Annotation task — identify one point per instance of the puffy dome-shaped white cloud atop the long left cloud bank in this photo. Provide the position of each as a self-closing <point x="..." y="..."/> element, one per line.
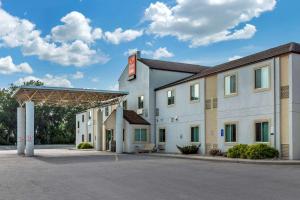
<point x="76" y="27"/>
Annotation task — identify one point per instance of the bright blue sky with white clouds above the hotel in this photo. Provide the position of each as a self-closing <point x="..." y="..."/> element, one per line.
<point x="38" y="41"/>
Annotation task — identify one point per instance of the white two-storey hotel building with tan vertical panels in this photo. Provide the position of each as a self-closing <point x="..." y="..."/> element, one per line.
<point x="251" y="100"/>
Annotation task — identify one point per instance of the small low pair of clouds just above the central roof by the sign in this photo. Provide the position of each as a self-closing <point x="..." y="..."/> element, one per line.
<point x="161" y="52"/>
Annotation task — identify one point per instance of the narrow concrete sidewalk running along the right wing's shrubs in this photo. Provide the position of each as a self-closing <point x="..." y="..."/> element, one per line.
<point x="224" y="159"/>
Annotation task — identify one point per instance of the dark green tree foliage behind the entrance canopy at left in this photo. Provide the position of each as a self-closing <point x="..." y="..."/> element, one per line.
<point x="53" y="125"/>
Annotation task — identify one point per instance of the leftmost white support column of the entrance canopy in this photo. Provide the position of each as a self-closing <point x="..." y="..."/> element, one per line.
<point x="21" y="130"/>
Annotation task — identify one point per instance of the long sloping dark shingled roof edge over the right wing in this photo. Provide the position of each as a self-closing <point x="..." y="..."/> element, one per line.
<point x="251" y="59"/>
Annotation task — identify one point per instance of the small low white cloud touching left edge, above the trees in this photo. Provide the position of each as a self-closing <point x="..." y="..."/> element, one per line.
<point x="8" y="67"/>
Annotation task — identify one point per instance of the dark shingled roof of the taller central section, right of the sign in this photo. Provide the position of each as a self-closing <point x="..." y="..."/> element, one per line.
<point x="172" y="66"/>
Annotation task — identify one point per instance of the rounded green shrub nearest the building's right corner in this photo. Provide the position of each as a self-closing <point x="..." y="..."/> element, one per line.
<point x="261" y="151"/>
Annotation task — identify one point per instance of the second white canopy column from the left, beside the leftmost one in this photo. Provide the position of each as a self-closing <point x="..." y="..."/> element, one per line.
<point x="29" y="129"/>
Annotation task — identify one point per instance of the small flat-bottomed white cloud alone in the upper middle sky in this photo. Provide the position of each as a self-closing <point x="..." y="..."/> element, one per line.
<point x="119" y="35"/>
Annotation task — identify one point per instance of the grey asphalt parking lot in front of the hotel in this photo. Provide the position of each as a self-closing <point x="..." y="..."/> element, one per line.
<point x="85" y="175"/>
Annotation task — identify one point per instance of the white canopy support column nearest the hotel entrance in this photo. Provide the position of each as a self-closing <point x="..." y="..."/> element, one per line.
<point x="119" y="129"/>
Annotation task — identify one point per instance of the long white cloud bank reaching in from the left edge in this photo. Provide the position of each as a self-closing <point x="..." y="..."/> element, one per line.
<point x="15" y="32"/>
